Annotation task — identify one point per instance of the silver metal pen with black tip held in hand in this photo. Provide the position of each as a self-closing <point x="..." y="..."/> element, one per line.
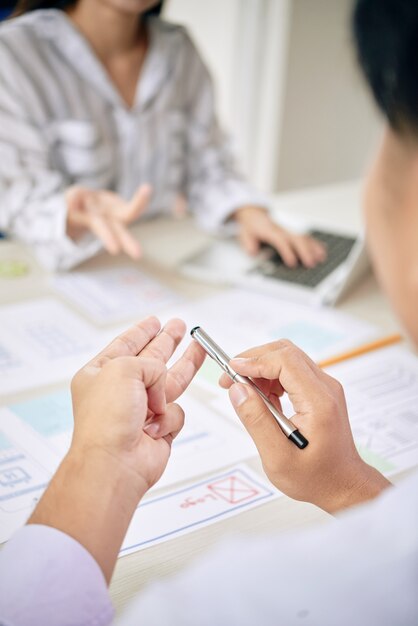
<point x="223" y="360"/>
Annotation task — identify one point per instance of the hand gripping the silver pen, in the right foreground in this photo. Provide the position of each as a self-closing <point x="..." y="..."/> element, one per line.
<point x="329" y="472"/>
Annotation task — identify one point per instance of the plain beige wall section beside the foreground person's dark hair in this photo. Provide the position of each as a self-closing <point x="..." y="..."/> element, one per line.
<point x="330" y="125"/>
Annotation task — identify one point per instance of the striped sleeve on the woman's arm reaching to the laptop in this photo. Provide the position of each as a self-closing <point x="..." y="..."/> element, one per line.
<point x="214" y="186"/>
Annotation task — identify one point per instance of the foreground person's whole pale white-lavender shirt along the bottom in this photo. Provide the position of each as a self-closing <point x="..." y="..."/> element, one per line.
<point x="358" y="570"/>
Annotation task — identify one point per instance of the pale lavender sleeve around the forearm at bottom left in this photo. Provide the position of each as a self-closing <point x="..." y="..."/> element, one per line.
<point x="46" y="577"/>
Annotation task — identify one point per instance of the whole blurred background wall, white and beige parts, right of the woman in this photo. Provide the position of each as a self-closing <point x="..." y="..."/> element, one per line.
<point x="313" y="122"/>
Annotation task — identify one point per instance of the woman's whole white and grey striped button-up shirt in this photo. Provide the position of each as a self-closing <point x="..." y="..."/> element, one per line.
<point x="62" y="122"/>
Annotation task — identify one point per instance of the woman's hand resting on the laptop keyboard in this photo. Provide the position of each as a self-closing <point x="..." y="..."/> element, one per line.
<point x="257" y="227"/>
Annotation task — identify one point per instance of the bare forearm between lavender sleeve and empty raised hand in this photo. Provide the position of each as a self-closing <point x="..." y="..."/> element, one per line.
<point x="91" y="498"/>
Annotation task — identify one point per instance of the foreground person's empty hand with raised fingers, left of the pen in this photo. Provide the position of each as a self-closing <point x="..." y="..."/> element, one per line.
<point x="123" y="399"/>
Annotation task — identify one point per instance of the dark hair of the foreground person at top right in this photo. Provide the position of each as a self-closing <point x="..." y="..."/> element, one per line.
<point x="386" y="38"/>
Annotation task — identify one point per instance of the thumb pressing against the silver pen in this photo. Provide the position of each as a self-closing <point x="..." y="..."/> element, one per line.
<point x="259" y="422"/>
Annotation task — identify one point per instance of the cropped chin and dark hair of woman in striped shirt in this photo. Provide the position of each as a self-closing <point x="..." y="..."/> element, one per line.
<point x="138" y="7"/>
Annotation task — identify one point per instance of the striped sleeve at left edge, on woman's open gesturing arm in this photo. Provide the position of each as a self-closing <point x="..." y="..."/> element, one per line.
<point x="32" y="203"/>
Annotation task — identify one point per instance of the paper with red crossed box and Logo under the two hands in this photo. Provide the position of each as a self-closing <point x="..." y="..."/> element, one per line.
<point x="196" y="506"/>
